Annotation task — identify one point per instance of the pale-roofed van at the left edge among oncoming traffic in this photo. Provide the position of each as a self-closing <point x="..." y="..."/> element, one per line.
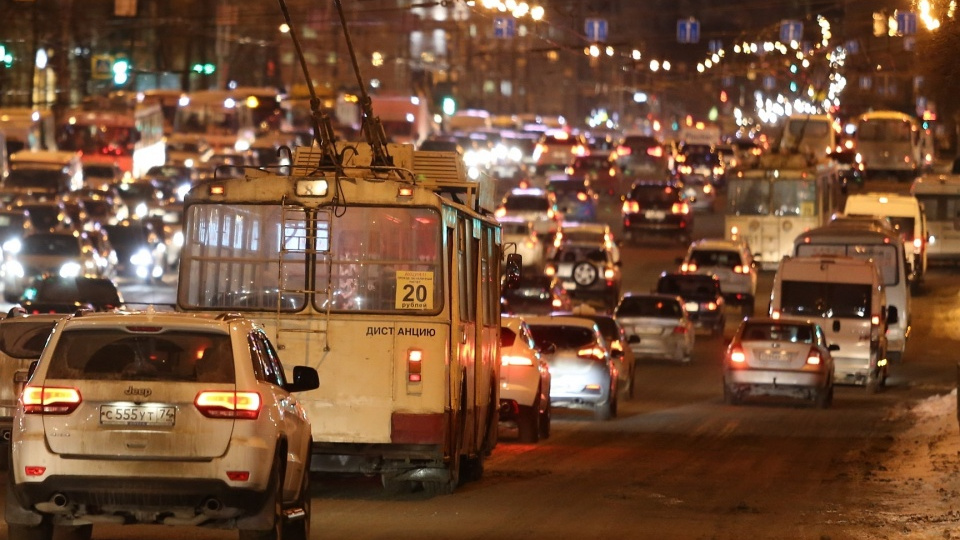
<point x="48" y="171"/>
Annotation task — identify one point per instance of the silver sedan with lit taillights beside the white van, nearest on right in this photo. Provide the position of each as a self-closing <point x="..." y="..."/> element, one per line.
<point x="779" y="357"/>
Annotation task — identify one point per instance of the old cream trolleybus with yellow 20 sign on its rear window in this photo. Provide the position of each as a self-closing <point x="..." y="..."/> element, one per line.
<point x="385" y="280"/>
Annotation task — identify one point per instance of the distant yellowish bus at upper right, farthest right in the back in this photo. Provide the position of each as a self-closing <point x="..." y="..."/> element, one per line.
<point x="890" y="143"/>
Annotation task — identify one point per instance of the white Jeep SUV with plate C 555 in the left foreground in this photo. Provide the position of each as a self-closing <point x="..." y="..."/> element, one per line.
<point x="163" y="418"/>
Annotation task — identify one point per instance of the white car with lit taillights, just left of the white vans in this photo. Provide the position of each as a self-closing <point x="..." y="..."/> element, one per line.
<point x="732" y="263"/>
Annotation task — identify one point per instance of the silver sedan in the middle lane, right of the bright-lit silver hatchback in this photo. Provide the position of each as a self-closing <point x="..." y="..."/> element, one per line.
<point x="662" y="324"/>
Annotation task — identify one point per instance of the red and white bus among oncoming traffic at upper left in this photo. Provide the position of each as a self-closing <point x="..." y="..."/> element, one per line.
<point x="129" y="136"/>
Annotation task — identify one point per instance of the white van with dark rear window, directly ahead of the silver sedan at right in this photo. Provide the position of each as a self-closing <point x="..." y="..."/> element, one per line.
<point x="846" y="297"/>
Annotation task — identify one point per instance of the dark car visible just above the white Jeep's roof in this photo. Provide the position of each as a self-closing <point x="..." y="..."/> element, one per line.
<point x="55" y="294"/>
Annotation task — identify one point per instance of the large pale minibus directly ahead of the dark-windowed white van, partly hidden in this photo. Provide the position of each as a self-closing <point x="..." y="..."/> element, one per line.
<point x="879" y="244"/>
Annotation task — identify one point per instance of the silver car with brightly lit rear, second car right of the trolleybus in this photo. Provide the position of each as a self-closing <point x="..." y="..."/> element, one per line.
<point x="583" y="373"/>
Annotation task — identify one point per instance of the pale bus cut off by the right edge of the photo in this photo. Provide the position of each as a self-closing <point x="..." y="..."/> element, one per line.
<point x="939" y="195"/>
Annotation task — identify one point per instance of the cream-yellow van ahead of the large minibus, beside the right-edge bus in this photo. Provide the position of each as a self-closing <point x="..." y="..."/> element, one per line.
<point x="907" y="216"/>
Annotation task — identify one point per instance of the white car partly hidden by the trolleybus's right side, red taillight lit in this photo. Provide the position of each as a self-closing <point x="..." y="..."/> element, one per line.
<point x="524" y="382"/>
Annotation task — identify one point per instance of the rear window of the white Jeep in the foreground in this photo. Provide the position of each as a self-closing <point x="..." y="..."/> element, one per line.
<point x="115" y="355"/>
